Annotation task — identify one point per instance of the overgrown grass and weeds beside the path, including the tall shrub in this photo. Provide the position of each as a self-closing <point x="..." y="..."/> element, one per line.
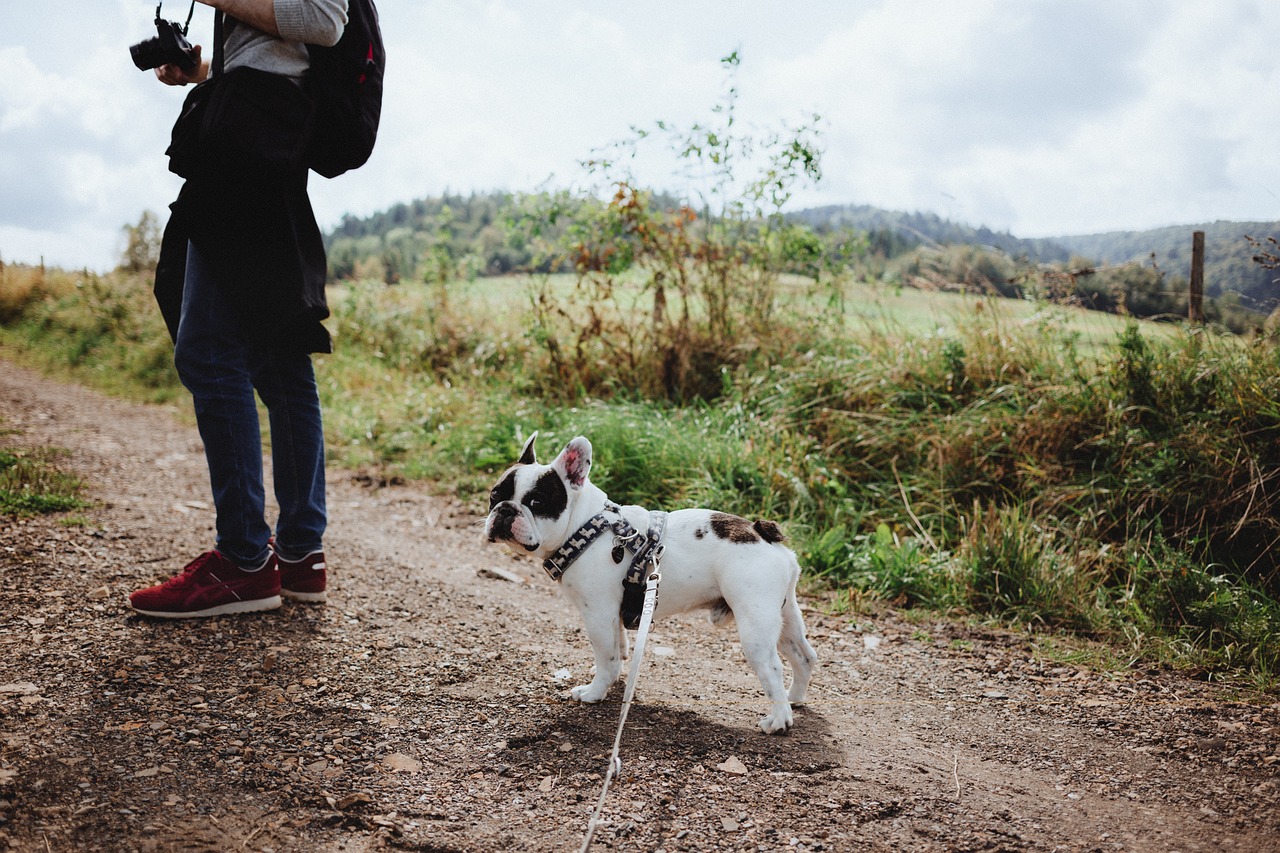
<point x="1012" y="459"/>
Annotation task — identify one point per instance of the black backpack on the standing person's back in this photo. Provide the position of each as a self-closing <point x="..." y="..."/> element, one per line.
<point x="348" y="86"/>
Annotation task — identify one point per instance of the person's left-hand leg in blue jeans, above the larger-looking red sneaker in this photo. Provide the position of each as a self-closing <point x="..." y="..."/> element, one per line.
<point x="212" y="358"/>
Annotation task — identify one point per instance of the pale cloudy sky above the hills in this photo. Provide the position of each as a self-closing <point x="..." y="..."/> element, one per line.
<point x="1037" y="117"/>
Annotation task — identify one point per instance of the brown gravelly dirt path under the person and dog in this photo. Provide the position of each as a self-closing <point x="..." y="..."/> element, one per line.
<point x="424" y="708"/>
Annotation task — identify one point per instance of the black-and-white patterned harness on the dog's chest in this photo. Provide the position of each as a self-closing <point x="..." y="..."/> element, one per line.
<point x="647" y="554"/>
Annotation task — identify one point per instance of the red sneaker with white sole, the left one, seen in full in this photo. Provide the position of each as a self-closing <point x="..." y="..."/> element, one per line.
<point x="212" y="586"/>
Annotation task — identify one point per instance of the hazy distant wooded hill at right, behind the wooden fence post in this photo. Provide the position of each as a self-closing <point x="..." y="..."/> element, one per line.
<point x="1229" y="267"/>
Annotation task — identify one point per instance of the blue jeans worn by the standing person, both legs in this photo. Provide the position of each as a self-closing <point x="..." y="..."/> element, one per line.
<point x="222" y="370"/>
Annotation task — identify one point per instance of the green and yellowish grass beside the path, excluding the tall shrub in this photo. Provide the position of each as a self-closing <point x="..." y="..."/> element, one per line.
<point x="1066" y="472"/>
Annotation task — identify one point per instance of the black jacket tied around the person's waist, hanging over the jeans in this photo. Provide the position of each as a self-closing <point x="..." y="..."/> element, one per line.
<point x="250" y="218"/>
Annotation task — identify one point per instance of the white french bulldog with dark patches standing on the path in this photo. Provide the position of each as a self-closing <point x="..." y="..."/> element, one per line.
<point x="725" y="564"/>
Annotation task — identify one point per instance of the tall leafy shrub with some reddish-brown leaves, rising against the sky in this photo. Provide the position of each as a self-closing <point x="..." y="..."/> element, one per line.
<point x="673" y="297"/>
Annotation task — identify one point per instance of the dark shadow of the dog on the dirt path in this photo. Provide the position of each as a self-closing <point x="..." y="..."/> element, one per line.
<point x="578" y="738"/>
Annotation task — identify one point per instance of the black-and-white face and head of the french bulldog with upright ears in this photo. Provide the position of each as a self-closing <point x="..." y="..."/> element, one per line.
<point x="532" y="505"/>
